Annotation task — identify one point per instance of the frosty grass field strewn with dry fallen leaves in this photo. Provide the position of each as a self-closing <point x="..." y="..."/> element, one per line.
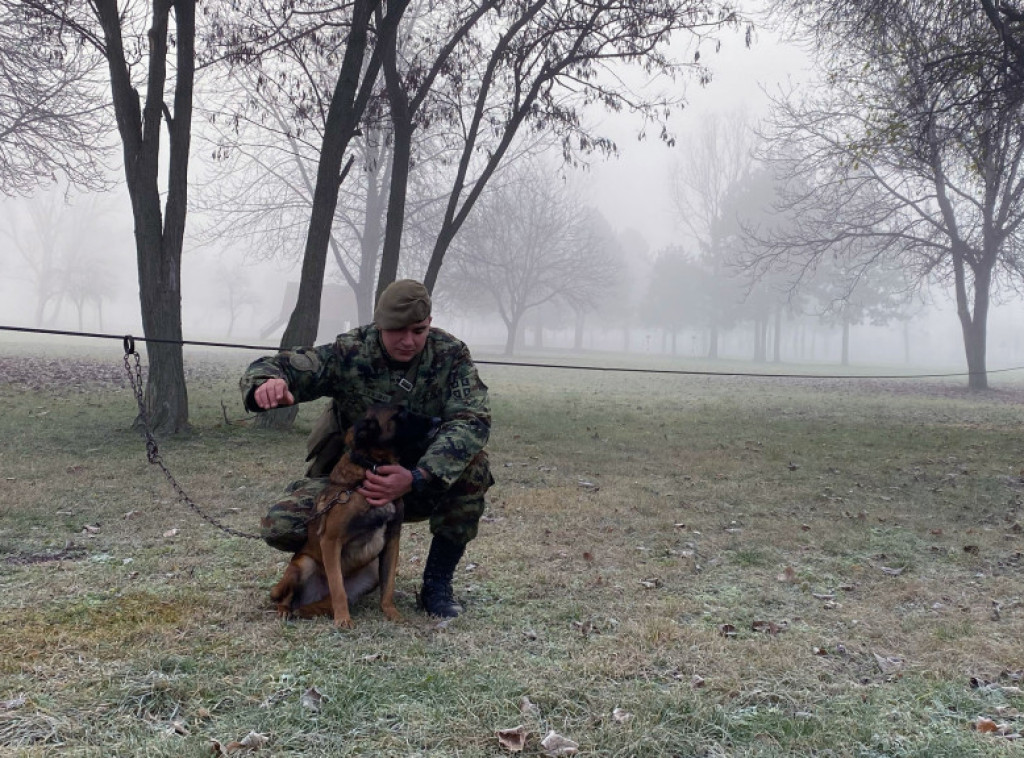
<point x="670" y="566"/>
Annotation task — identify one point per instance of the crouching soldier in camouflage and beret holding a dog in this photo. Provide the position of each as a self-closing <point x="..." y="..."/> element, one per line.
<point x="399" y="359"/>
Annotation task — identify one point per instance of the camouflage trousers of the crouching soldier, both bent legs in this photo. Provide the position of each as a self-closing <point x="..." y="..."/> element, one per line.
<point x="454" y="514"/>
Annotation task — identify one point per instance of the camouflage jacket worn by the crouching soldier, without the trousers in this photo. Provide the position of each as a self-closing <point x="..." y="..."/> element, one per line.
<point x="356" y="372"/>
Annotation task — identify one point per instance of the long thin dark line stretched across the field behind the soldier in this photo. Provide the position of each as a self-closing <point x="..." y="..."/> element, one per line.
<point x="617" y="369"/>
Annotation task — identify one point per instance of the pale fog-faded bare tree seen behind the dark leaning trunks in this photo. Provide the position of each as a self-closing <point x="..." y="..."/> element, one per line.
<point x="263" y="164"/>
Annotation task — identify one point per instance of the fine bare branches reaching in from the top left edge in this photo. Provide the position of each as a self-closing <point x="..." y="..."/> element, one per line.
<point x="53" y="120"/>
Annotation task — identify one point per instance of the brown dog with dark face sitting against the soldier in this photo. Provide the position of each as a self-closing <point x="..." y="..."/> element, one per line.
<point x="354" y="546"/>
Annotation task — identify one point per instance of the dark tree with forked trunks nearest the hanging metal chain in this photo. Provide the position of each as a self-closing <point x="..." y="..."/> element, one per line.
<point x="144" y="48"/>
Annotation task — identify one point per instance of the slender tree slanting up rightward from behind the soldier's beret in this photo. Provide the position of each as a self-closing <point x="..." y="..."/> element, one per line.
<point x="548" y="62"/>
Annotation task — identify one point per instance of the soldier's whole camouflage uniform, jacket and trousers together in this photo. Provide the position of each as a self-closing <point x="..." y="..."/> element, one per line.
<point x="356" y="372"/>
